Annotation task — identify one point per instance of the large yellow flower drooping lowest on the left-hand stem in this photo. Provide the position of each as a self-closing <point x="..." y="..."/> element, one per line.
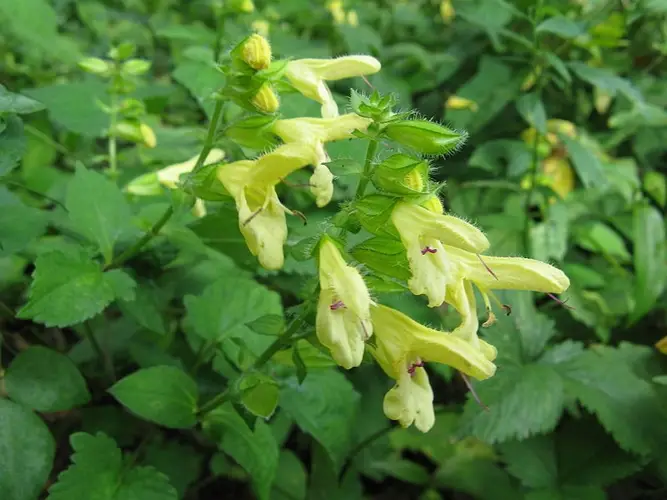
<point x="261" y="215"/>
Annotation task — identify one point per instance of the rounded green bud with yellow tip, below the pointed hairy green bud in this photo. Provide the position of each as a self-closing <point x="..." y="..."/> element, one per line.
<point x="401" y="174"/>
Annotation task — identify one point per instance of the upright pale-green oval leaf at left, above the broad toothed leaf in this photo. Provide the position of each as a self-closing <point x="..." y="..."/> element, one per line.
<point x="98" y="209"/>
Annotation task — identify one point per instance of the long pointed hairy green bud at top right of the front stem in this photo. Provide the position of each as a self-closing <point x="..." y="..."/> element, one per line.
<point x="426" y="137"/>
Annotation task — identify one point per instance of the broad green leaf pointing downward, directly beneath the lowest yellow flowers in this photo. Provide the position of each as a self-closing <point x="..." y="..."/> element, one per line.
<point x="325" y="407"/>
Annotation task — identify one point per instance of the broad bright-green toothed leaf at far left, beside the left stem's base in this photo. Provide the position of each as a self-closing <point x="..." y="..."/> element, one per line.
<point x="69" y="289"/>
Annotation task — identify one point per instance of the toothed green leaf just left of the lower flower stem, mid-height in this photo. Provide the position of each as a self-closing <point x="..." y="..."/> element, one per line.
<point x="226" y="306"/>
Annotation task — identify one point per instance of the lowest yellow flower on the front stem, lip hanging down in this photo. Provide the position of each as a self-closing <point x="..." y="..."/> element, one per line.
<point x="402" y="348"/>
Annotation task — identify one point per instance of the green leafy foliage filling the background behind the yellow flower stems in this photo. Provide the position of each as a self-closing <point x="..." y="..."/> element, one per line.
<point x="107" y="367"/>
